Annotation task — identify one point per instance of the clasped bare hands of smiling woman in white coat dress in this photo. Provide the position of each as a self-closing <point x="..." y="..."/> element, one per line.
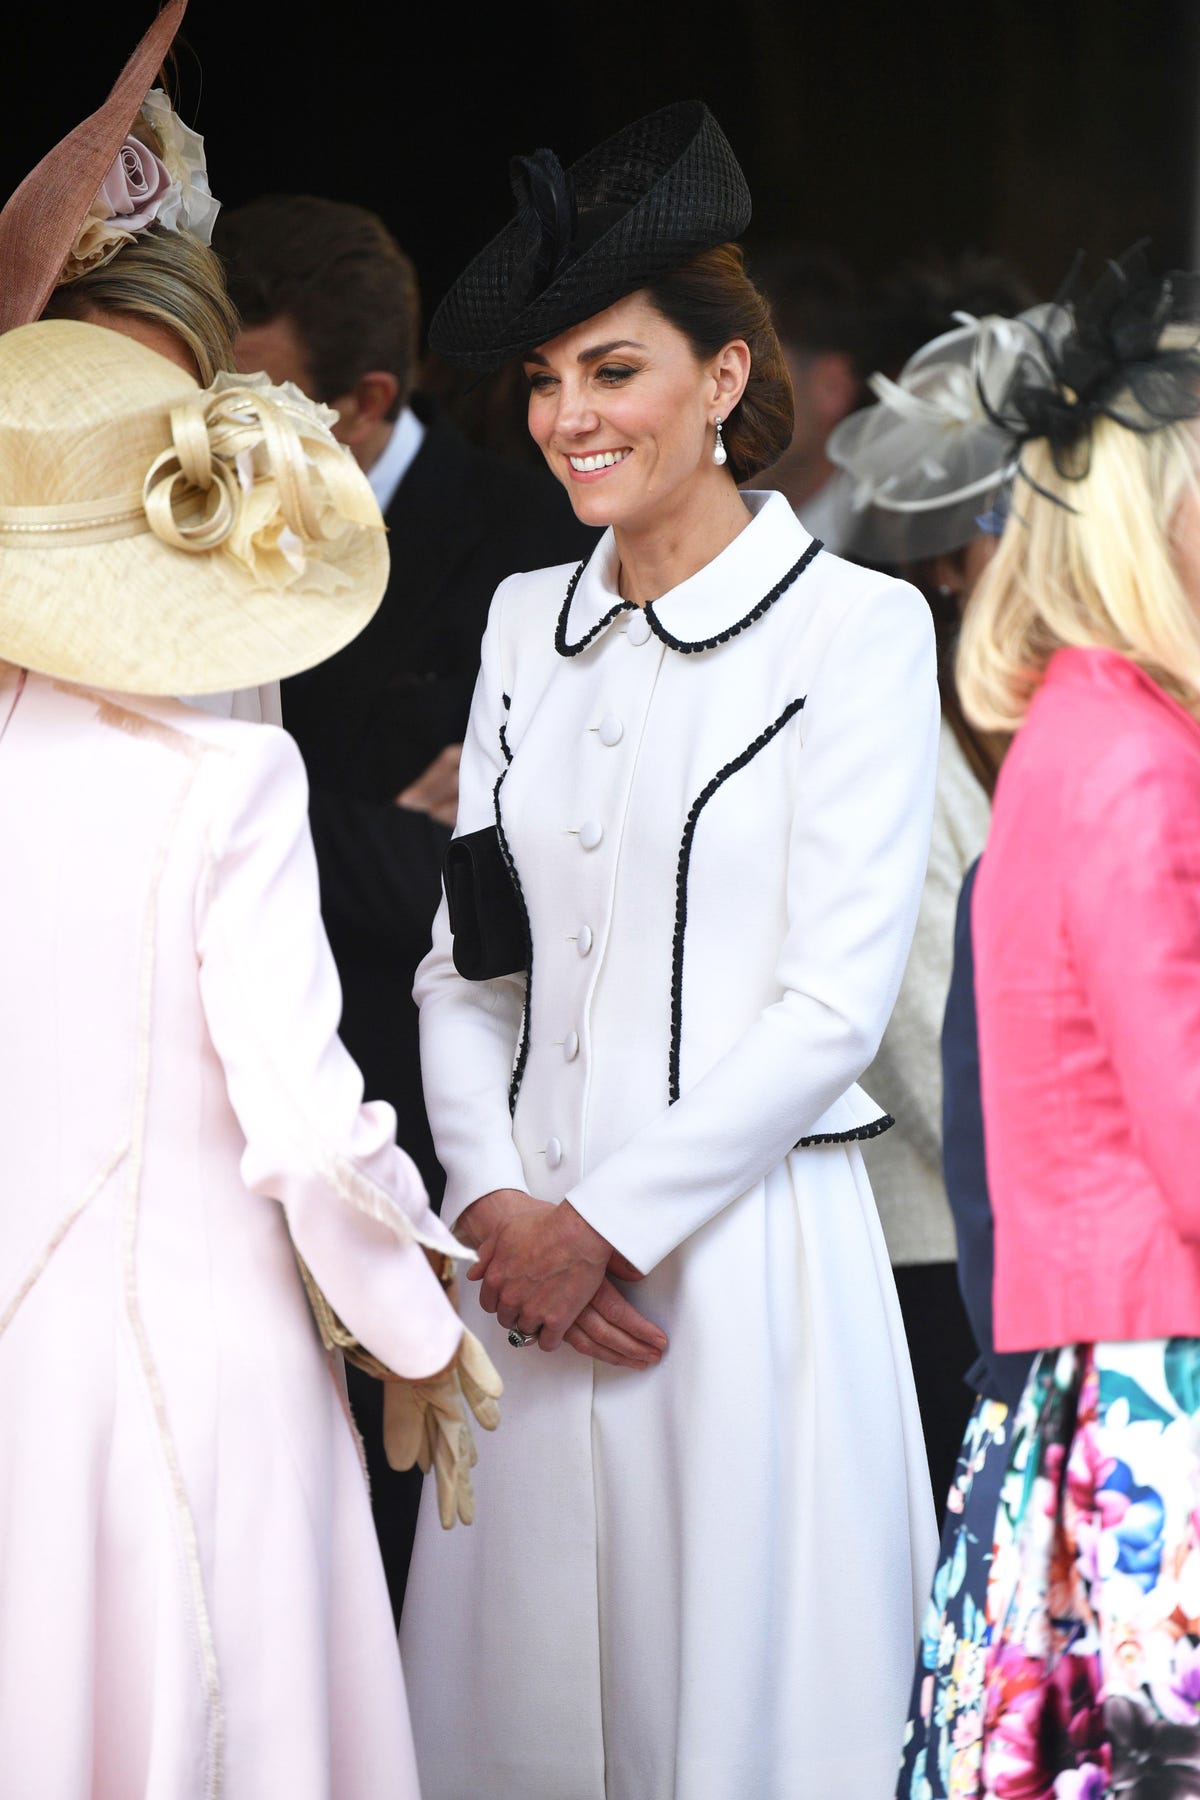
<point x="546" y="1270"/>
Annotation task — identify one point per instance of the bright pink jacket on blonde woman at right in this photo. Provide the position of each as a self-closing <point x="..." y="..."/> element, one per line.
<point x="1088" y="973"/>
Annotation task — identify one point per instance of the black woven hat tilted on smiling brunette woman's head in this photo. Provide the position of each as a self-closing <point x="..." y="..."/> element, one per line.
<point x="634" y="210"/>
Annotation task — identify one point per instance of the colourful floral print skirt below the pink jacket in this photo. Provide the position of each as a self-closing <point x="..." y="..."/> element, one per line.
<point x="1082" y="1678"/>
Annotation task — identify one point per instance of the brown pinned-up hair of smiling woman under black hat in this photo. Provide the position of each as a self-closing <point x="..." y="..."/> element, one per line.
<point x="713" y="301"/>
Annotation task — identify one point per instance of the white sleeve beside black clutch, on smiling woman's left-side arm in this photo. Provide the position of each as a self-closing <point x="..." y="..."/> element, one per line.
<point x="470" y="1029"/>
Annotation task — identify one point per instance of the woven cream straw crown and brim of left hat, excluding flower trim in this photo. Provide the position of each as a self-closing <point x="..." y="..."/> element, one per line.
<point x="84" y="413"/>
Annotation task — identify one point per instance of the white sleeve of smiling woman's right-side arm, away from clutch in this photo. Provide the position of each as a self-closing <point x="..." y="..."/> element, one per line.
<point x="855" y="870"/>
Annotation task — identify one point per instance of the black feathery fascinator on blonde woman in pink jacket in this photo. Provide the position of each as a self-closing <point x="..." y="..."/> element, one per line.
<point x="1125" y="350"/>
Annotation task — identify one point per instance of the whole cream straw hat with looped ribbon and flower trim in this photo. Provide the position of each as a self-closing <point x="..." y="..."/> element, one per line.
<point x="157" y="537"/>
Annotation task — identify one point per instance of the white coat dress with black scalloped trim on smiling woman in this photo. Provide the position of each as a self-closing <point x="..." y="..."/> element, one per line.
<point x="695" y="1583"/>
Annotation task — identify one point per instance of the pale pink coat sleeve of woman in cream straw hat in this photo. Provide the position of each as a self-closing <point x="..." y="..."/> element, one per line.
<point x="355" y="1203"/>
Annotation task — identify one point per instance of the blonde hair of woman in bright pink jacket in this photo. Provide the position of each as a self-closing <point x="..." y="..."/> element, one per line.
<point x="1097" y="575"/>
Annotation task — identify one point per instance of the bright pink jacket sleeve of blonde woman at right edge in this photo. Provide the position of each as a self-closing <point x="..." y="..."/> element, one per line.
<point x="1133" y="921"/>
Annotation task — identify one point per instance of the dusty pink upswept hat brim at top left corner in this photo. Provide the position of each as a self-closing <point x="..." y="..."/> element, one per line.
<point x="44" y="217"/>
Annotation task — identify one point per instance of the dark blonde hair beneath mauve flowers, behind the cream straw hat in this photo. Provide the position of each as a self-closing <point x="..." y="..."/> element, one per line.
<point x="166" y="276"/>
